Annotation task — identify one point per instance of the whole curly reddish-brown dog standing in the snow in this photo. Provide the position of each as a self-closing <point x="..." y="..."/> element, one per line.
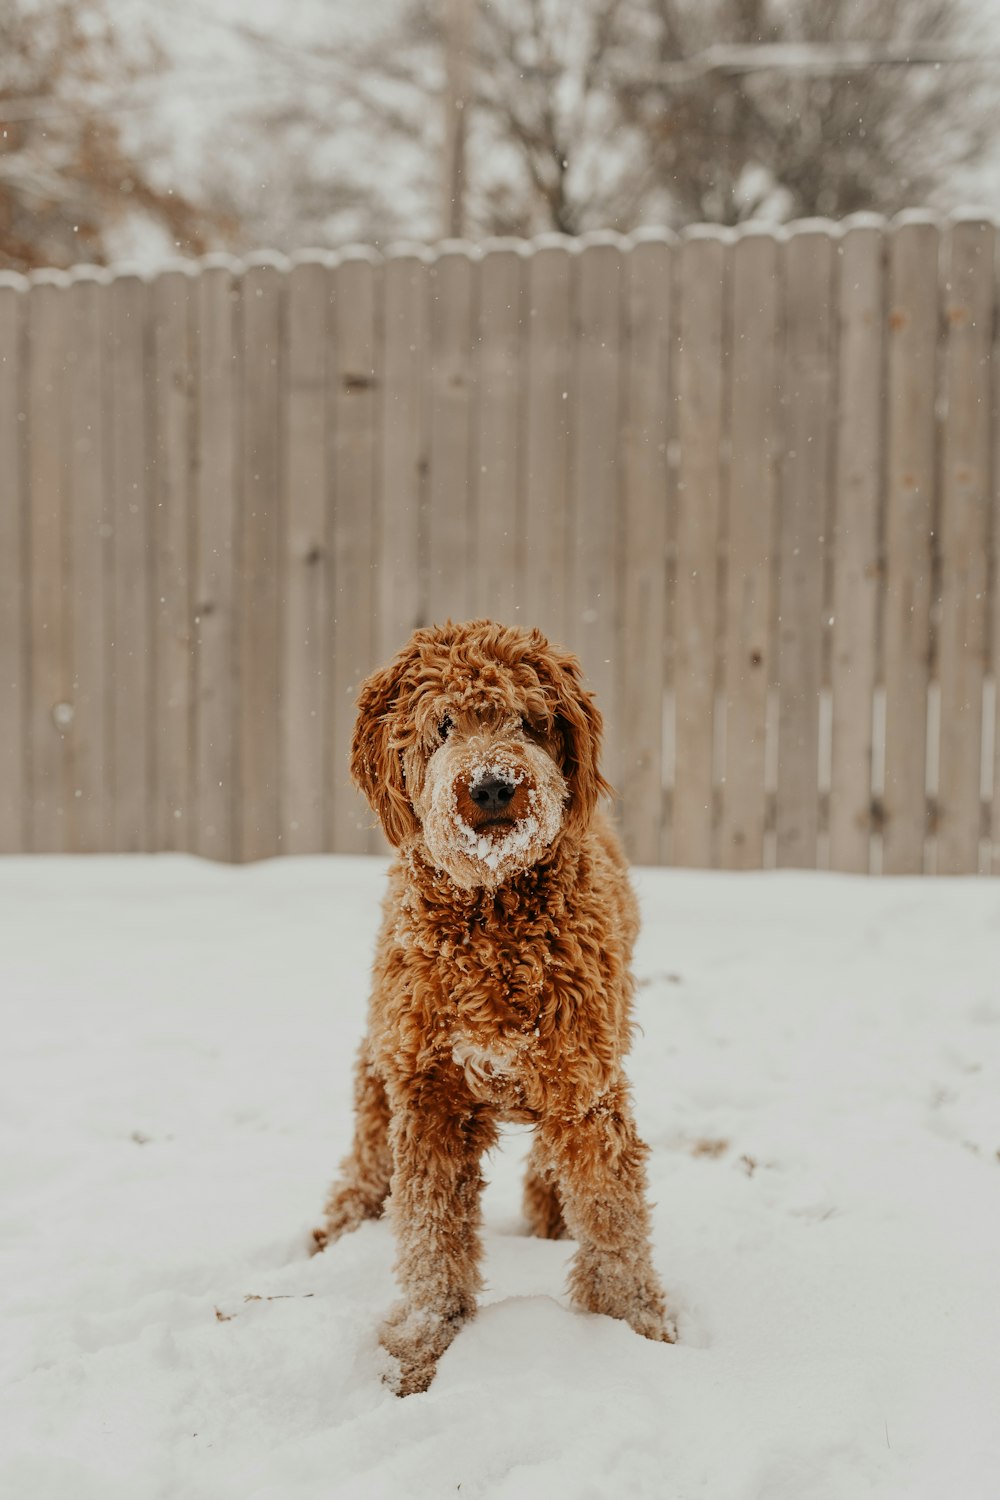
<point x="501" y="985"/>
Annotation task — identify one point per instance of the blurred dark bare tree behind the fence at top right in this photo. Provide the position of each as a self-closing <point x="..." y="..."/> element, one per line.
<point x="725" y="146"/>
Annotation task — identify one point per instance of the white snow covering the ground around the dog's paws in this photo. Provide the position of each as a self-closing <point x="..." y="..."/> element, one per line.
<point x="819" y="1078"/>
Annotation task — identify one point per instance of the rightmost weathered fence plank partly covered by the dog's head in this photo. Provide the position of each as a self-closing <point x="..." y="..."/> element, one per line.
<point x="596" y="535"/>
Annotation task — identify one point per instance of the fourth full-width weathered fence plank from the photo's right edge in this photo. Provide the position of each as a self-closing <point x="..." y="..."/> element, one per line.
<point x="807" y="385"/>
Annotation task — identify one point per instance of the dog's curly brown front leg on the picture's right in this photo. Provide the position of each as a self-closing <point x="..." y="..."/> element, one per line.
<point x="600" y="1168"/>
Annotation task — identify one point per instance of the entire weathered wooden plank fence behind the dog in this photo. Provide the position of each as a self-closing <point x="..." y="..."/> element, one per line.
<point x="752" y="479"/>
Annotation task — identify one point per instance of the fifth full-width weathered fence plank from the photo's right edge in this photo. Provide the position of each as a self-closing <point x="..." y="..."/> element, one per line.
<point x="756" y="451"/>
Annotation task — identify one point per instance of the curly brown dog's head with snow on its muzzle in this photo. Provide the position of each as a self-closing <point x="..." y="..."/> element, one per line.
<point x="484" y="742"/>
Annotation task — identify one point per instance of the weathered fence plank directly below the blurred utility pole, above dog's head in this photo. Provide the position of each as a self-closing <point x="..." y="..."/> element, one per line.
<point x="452" y="577"/>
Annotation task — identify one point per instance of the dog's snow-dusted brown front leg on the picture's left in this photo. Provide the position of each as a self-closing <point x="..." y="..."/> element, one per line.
<point x="436" y="1207"/>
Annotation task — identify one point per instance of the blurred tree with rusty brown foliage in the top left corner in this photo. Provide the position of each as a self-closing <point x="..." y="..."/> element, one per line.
<point x="67" y="179"/>
